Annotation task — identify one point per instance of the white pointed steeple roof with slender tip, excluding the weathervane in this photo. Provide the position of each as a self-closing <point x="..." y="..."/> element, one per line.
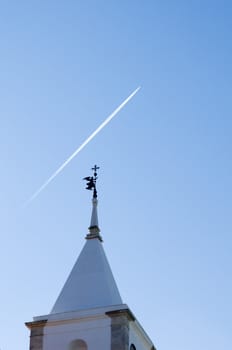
<point x="91" y="283"/>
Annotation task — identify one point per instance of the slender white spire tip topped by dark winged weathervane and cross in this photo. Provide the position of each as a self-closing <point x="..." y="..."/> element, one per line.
<point x="94" y="231"/>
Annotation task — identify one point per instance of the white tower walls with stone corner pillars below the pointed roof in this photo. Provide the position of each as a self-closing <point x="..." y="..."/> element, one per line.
<point x="94" y="329"/>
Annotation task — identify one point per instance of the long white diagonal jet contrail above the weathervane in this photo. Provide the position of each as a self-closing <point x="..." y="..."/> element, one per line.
<point x="108" y="119"/>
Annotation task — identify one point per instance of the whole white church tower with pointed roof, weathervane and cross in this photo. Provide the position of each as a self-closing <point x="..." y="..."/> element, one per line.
<point x="89" y="313"/>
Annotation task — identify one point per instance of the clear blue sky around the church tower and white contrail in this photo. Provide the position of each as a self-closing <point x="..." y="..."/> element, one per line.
<point x="165" y="179"/>
